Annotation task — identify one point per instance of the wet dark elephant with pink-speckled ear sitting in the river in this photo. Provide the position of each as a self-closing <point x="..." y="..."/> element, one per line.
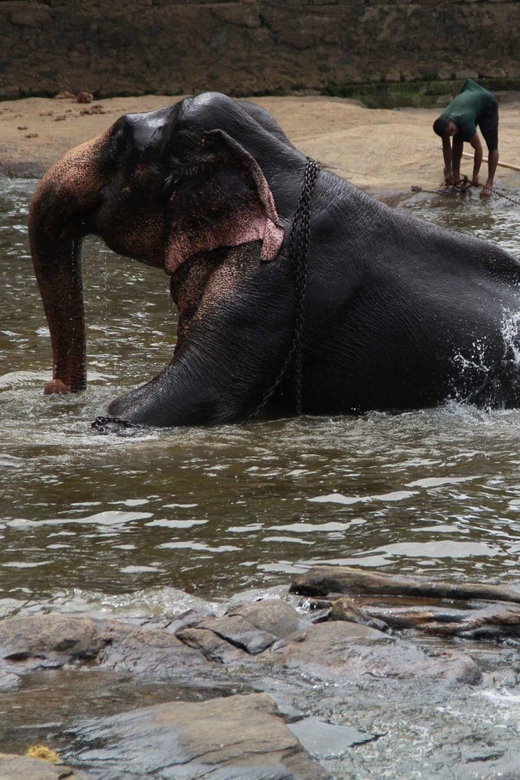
<point x="392" y="314"/>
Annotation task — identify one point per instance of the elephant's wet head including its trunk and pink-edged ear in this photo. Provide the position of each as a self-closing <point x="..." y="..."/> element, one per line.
<point x="163" y="188"/>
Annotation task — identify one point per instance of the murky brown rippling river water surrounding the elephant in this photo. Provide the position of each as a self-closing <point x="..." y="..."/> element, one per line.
<point x="116" y="524"/>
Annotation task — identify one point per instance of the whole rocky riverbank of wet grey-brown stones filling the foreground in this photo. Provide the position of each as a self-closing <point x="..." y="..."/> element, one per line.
<point x="271" y="688"/>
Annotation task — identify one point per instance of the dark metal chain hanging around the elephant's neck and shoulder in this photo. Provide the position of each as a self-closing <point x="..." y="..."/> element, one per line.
<point x="298" y="254"/>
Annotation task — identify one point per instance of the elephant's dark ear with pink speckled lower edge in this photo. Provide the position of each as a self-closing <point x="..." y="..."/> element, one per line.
<point x="222" y="199"/>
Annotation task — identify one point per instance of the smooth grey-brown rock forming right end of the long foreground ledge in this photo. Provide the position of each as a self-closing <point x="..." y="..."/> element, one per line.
<point x="345" y="651"/>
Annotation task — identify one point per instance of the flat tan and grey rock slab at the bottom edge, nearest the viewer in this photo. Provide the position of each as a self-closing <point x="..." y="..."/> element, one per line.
<point x="227" y="738"/>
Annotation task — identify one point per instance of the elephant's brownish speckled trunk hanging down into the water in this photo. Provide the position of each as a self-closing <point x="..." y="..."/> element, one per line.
<point x="59" y="219"/>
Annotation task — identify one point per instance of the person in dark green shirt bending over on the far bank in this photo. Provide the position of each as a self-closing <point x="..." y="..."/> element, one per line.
<point x="473" y="106"/>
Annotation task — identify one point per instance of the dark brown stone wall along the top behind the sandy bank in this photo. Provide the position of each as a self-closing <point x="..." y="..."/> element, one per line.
<point x="118" y="47"/>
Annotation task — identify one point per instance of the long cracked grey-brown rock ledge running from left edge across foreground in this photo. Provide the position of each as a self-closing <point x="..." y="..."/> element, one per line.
<point x="334" y="650"/>
